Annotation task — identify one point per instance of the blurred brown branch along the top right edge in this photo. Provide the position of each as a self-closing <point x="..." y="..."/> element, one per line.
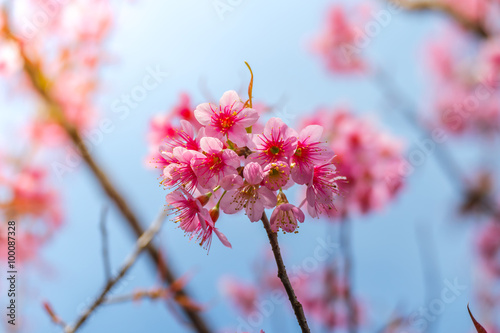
<point x="477" y="27"/>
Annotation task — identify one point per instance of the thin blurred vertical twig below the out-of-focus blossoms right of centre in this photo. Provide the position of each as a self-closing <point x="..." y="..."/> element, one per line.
<point x="345" y="243"/>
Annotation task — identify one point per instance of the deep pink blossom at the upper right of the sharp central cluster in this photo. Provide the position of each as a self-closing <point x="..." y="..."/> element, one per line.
<point x="310" y="151"/>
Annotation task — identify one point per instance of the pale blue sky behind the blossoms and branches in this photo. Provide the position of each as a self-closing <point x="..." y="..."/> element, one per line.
<point x="190" y="41"/>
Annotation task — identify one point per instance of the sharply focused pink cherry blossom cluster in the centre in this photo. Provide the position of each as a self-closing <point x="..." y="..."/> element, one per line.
<point x="224" y="160"/>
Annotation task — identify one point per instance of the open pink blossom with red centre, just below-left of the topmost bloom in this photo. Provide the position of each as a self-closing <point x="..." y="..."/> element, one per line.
<point x="216" y="164"/>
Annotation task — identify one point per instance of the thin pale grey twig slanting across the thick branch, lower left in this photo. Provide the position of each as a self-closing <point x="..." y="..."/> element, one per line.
<point x="142" y="243"/>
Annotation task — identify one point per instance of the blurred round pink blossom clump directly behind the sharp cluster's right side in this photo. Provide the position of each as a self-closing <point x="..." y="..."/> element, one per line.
<point x="370" y="159"/>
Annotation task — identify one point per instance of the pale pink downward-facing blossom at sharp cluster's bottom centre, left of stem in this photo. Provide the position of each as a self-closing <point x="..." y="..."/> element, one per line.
<point x="250" y="195"/>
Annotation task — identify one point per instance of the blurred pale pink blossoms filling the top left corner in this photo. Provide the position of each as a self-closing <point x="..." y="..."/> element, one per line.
<point x="64" y="41"/>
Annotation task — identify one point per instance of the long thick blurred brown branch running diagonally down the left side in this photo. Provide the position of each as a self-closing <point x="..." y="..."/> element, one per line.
<point x="40" y="84"/>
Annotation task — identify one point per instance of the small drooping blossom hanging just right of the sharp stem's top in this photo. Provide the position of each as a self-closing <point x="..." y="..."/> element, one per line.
<point x="285" y="215"/>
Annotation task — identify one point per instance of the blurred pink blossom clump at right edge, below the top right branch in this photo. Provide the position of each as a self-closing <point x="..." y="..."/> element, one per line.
<point x="468" y="98"/>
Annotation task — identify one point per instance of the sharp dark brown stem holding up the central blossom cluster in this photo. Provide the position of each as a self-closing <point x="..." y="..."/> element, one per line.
<point x="282" y="274"/>
